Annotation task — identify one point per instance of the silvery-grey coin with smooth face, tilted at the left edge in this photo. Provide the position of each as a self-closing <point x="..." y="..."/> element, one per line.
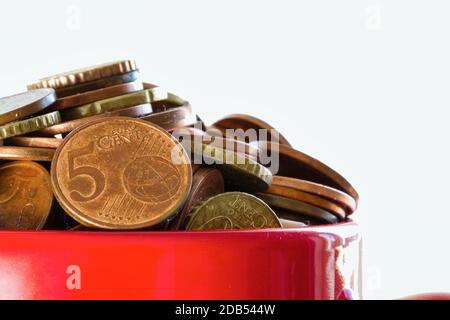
<point x="24" y="104"/>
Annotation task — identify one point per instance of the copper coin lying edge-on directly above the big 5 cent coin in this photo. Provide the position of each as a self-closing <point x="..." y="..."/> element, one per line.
<point x="68" y="126"/>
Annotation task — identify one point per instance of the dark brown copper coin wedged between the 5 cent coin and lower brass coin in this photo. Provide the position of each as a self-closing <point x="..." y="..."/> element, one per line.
<point x="207" y="182"/>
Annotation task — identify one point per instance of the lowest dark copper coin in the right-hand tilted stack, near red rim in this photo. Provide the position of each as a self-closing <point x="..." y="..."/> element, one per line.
<point x="297" y="208"/>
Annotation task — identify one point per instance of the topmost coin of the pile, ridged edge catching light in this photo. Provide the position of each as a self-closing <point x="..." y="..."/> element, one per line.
<point x="83" y="75"/>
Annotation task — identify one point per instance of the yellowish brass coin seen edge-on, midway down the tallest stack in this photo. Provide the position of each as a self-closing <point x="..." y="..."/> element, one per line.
<point x="112" y="104"/>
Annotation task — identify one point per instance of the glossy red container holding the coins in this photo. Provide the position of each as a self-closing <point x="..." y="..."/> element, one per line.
<point x="312" y="263"/>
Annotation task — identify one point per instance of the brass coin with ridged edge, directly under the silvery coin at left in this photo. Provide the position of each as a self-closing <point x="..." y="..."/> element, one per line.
<point x="22" y="127"/>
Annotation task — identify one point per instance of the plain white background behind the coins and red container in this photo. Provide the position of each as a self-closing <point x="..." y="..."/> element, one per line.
<point x="361" y="85"/>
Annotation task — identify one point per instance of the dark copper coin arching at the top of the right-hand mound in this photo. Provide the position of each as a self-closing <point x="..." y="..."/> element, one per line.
<point x="246" y="122"/>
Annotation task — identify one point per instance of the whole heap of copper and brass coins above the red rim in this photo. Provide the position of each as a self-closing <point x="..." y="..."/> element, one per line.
<point x="120" y="154"/>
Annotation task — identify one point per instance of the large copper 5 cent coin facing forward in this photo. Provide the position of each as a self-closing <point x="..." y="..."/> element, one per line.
<point x="121" y="173"/>
